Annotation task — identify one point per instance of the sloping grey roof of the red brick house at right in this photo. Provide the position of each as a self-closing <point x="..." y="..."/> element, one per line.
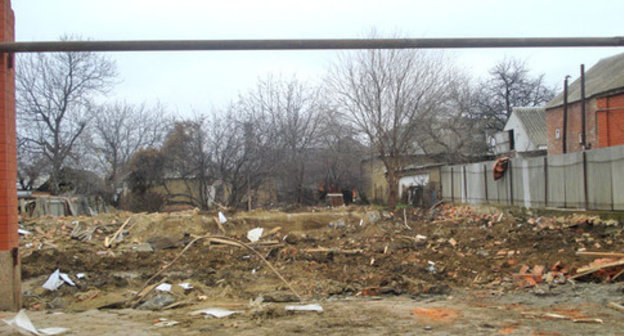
<point x="606" y="76"/>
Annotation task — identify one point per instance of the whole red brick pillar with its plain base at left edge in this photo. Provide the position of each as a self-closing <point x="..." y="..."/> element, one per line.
<point x="10" y="288"/>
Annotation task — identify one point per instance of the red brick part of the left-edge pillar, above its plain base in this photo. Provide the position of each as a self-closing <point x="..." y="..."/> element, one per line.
<point x="8" y="159"/>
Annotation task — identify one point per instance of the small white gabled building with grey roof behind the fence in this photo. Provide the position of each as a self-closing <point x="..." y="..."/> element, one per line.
<point x="524" y="133"/>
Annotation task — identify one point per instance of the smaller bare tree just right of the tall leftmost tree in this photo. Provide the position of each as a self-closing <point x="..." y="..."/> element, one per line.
<point x="119" y="130"/>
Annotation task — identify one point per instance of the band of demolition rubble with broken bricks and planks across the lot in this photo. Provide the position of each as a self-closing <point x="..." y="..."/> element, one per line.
<point x="300" y="261"/>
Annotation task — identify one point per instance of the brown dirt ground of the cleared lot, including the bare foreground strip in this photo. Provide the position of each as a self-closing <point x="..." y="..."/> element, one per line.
<point x="443" y="271"/>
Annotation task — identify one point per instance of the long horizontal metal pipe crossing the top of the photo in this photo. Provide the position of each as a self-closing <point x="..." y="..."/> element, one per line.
<point x="311" y="44"/>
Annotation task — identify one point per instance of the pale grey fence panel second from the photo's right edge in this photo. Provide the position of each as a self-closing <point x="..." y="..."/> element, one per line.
<point x="599" y="179"/>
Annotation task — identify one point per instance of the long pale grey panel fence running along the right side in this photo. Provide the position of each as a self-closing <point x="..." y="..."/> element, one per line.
<point x="592" y="180"/>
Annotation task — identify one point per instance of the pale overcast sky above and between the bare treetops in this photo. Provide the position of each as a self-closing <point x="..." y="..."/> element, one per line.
<point x="186" y="81"/>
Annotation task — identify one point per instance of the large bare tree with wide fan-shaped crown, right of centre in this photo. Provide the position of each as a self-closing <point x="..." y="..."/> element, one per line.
<point x="385" y="94"/>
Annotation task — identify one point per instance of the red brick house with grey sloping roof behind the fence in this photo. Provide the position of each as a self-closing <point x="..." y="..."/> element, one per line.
<point x="604" y="109"/>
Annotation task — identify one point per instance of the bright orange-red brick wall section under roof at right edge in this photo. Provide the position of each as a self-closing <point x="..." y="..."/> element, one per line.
<point x="611" y="120"/>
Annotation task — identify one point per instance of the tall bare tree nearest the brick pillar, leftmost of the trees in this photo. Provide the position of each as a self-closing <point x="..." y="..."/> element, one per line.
<point x="55" y="99"/>
